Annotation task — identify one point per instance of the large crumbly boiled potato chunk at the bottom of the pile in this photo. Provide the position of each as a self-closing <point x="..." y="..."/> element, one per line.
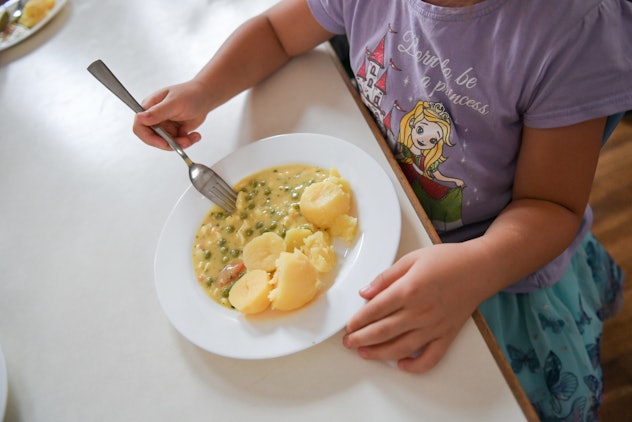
<point x="295" y="280"/>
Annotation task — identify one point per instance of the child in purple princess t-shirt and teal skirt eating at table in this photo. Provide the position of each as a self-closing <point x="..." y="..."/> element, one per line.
<point x="496" y="111"/>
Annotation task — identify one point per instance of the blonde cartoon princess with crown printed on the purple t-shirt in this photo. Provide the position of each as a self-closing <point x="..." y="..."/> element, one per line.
<point x="423" y="133"/>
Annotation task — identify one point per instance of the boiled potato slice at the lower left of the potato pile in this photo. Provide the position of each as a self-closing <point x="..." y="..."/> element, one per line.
<point x="250" y="293"/>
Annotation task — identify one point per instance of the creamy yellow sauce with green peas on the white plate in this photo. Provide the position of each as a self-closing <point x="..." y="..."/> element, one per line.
<point x="268" y="201"/>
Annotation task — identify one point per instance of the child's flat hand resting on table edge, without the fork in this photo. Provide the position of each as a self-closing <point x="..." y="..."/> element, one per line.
<point x="416" y="308"/>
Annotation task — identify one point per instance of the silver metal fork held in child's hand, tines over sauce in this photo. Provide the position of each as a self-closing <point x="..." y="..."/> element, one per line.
<point x="204" y="179"/>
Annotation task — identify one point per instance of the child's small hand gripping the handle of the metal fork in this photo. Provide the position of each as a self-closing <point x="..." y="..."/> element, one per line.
<point x="179" y="109"/>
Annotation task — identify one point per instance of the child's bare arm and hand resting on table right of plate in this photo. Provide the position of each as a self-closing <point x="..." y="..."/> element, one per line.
<point x="427" y="296"/>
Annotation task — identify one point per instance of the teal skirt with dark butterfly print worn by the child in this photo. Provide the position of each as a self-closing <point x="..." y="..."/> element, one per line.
<point x="551" y="336"/>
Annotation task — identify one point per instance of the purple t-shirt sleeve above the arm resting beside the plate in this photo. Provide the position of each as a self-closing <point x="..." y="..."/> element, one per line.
<point x="588" y="72"/>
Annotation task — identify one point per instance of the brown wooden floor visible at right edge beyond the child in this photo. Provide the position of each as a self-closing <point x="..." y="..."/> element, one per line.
<point x="611" y="200"/>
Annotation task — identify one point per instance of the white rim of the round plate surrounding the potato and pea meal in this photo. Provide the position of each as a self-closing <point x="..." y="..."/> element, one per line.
<point x="227" y="332"/>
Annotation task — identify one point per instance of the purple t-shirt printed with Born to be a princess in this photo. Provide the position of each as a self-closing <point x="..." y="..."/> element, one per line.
<point x="451" y="89"/>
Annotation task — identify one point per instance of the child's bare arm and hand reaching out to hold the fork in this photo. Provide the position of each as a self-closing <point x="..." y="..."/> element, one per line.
<point x="253" y="52"/>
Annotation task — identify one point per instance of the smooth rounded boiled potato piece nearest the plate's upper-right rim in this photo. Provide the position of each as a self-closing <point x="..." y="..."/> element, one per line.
<point x="323" y="201"/>
